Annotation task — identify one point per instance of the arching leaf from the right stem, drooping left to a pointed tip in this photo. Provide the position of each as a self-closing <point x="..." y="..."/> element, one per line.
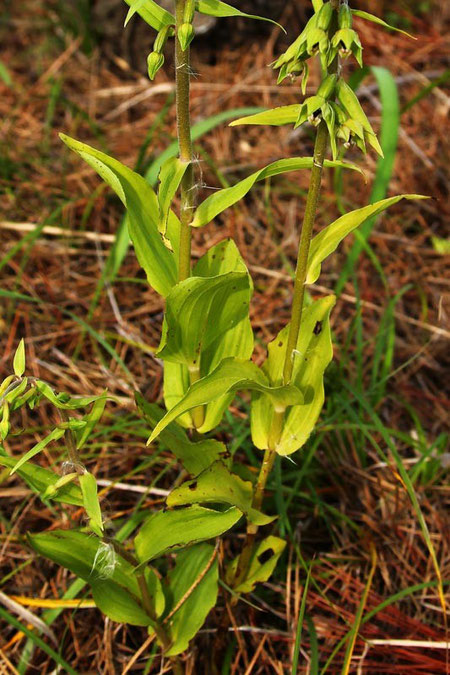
<point x="230" y="376"/>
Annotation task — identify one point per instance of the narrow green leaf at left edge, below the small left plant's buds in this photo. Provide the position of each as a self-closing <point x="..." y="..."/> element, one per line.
<point x="41" y="480"/>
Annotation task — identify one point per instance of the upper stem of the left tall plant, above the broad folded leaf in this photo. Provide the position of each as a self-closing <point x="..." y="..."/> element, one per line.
<point x="182" y="69"/>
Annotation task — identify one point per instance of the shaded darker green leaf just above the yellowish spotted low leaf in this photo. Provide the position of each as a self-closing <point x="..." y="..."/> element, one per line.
<point x="195" y="457"/>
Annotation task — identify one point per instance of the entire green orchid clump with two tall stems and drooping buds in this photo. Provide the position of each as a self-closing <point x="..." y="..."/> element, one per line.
<point x="163" y="574"/>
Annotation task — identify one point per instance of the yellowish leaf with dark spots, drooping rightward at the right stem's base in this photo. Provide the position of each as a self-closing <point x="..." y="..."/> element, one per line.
<point x="218" y="485"/>
